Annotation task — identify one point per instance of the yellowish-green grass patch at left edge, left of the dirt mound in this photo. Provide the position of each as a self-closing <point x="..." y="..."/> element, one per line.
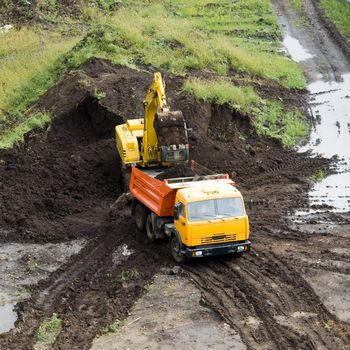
<point x="31" y="61"/>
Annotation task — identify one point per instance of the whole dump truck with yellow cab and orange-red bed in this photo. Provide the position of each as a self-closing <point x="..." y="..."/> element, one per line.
<point x="201" y="215"/>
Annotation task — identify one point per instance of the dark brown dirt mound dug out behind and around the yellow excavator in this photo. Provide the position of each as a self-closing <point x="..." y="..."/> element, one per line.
<point x="61" y="181"/>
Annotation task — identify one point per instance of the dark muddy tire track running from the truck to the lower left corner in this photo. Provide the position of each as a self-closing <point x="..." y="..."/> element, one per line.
<point x="89" y="291"/>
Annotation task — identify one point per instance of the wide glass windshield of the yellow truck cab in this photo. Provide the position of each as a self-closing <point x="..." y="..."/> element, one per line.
<point x="215" y="209"/>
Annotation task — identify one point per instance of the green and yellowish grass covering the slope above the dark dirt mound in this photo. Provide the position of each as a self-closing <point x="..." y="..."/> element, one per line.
<point x="240" y="38"/>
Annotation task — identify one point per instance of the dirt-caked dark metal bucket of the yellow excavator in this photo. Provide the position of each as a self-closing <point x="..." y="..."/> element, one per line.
<point x="172" y="136"/>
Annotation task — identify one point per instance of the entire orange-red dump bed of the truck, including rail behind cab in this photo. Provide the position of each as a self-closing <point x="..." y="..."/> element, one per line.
<point x="159" y="195"/>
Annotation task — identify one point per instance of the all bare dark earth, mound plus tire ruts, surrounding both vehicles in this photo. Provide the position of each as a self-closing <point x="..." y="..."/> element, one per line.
<point x="61" y="184"/>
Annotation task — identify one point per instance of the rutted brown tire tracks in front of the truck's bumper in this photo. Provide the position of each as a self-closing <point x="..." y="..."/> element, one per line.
<point x="269" y="303"/>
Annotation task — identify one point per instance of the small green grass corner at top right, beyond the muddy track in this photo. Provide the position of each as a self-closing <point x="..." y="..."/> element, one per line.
<point x="338" y="11"/>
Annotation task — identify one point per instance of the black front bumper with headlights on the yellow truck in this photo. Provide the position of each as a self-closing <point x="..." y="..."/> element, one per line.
<point x="217" y="249"/>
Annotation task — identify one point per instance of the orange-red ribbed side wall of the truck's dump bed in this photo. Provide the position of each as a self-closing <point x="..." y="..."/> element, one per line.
<point x="153" y="193"/>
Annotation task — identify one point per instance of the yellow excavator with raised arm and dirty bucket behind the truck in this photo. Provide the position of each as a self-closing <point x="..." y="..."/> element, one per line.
<point x="158" y="139"/>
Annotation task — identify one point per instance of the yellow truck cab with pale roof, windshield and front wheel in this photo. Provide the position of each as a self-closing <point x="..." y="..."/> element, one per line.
<point x="209" y="220"/>
